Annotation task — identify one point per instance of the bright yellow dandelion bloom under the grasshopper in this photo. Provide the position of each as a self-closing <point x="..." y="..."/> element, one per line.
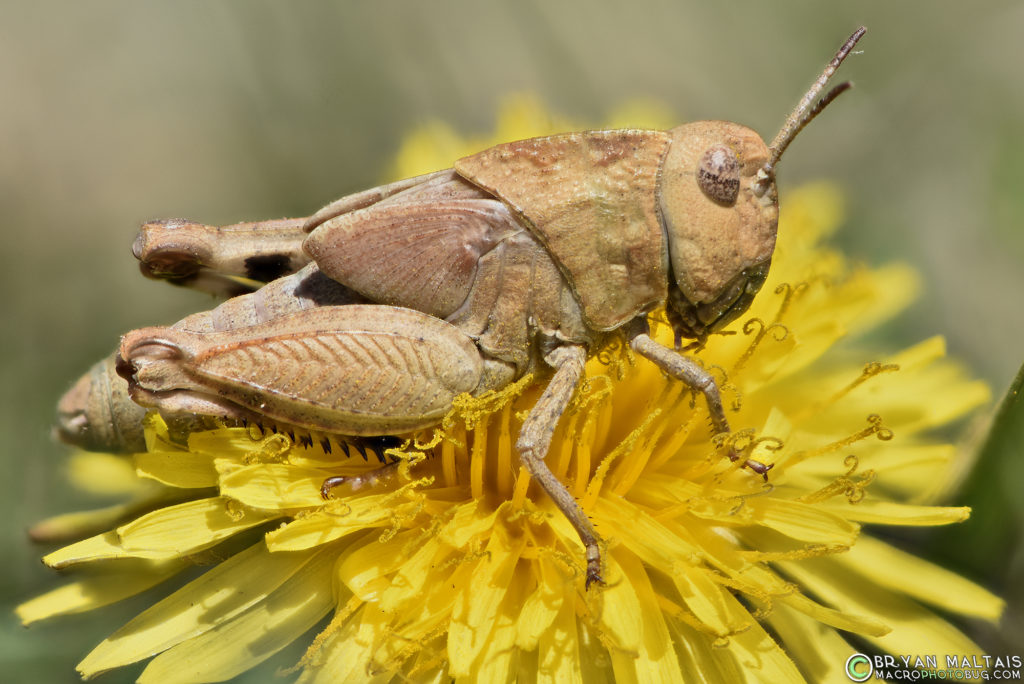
<point x="455" y="567"/>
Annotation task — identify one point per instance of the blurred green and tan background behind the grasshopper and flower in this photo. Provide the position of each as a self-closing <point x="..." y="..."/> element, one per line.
<point x="115" y="112"/>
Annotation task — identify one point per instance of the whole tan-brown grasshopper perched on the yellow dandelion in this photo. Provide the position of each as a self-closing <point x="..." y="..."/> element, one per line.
<point x="524" y="259"/>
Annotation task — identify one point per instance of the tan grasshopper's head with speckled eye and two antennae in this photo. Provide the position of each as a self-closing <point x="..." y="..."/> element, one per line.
<point x="720" y="210"/>
